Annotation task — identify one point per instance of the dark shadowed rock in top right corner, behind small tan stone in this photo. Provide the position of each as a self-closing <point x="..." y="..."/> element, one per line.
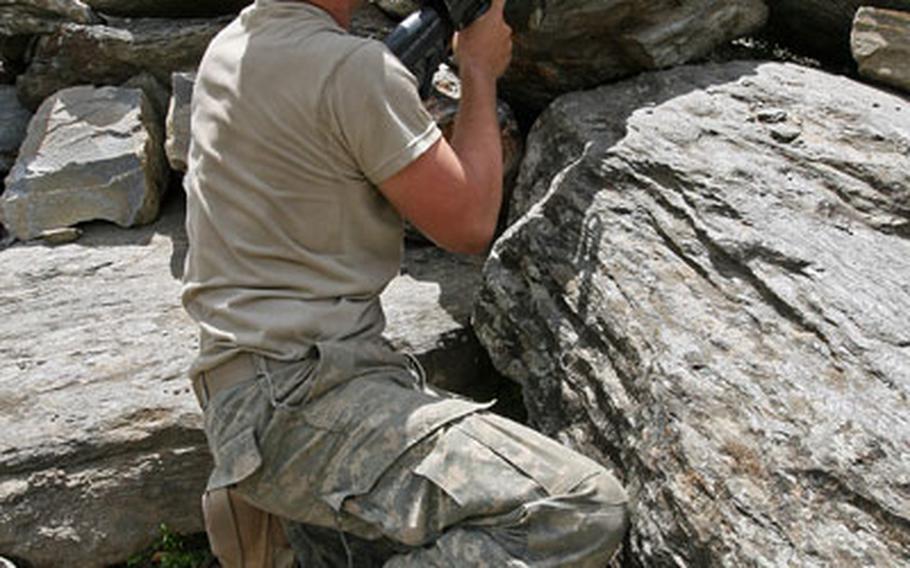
<point x="821" y="27"/>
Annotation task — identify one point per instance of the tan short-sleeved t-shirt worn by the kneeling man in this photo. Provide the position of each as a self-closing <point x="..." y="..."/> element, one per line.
<point x="294" y="124"/>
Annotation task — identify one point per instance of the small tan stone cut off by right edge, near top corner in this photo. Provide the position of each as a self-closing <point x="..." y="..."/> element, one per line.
<point x="881" y="46"/>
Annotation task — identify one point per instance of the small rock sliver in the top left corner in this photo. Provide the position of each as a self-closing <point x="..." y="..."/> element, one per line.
<point x="21" y="17"/>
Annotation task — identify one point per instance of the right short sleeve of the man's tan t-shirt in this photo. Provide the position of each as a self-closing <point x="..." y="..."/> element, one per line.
<point x="377" y="112"/>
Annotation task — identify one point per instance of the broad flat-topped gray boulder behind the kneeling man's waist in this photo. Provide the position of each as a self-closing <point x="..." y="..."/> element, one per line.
<point x="100" y="437"/>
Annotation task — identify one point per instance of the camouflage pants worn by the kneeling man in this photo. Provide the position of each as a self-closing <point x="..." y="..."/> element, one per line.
<point x="350" y="440"/>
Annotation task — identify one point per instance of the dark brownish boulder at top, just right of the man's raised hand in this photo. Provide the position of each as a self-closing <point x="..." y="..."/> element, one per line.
<point x="561" y="47"/>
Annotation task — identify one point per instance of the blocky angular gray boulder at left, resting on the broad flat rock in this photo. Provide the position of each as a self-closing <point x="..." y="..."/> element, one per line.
<point x="90" y="154"/>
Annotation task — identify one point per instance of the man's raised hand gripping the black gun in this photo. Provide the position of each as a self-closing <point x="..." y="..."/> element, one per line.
<point x="486" y="45"/>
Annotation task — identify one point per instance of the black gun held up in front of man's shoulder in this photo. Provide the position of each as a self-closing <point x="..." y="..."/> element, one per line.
<point x="423" y="40"/>
